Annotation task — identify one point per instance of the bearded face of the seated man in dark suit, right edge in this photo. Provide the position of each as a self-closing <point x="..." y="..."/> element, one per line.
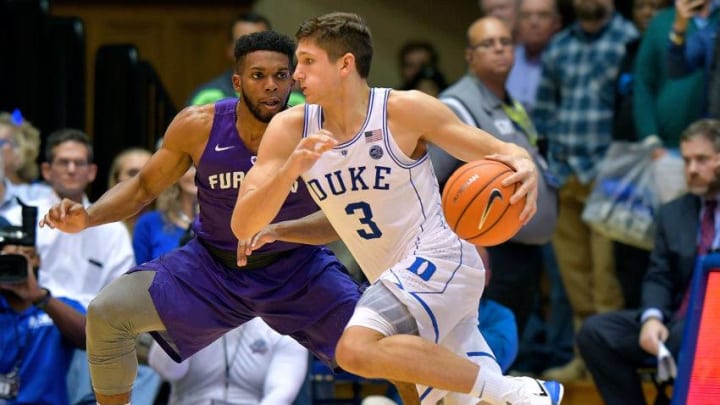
<point x="701" y="165"/>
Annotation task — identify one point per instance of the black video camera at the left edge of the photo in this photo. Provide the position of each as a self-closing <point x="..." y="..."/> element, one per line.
<point x="13" y="267"/>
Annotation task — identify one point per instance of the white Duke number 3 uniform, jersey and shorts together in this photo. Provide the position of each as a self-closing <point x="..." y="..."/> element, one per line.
<point x="386" y="207"/>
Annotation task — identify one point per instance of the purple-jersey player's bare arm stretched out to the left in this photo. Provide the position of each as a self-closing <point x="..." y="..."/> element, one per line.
<point x="184" y="138"/>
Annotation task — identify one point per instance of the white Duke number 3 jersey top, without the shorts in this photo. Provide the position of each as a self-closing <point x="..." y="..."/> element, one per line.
<point x="383" y="204"/>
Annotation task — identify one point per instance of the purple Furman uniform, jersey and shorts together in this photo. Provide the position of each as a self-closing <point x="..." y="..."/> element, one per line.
<point x="200" y="294"/>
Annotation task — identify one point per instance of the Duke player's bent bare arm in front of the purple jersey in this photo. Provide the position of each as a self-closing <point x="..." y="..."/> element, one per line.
<point x="283" y="156"/>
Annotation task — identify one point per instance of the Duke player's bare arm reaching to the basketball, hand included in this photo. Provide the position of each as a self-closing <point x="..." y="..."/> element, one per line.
<point x="416" y="118"/>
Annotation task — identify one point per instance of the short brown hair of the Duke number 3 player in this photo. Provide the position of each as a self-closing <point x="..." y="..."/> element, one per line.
<point x="339" y="33"/>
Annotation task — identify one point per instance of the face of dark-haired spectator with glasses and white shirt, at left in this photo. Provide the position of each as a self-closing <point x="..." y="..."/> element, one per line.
<point x="70" y="172"/>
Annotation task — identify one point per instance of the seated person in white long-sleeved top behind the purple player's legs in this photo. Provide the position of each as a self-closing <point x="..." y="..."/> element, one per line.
<point x="251" y="364"/>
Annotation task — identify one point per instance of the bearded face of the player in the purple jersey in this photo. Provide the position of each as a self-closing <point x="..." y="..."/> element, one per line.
<point x="264" y="82"/>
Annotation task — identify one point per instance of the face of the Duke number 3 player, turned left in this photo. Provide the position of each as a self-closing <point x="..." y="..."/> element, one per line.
<point x="314" y="72"/>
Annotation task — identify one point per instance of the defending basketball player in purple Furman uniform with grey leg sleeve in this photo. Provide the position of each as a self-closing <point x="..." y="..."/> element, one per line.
<point x="192" y="296"/>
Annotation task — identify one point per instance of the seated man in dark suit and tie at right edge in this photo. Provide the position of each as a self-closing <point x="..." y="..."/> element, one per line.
<point x="615" y="344"/>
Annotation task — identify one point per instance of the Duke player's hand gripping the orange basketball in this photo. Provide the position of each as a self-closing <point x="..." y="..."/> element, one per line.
<point x="526" y="173"/>
